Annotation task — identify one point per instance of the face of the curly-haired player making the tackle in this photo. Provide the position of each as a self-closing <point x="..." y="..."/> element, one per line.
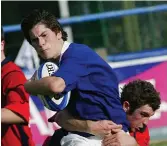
<point x="140" y="117"/>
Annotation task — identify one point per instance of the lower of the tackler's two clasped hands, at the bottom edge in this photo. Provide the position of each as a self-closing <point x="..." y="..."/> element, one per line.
<point x="119" y="139"/>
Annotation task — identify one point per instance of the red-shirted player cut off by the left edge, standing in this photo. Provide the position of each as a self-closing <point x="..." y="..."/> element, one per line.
<point x="14" y="104"/>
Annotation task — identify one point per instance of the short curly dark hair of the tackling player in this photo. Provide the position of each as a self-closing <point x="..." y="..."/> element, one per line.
<point x="139" y="93"/>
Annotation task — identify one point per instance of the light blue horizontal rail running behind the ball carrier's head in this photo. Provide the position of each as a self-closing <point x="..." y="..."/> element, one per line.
<point x="97" y="16"/>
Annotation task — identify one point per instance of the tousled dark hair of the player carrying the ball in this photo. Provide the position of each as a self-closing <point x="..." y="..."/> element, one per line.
<point x="44" y="17"/>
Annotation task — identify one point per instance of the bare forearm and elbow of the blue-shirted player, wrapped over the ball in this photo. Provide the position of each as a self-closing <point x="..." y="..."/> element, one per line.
<point x="45" y="86"/>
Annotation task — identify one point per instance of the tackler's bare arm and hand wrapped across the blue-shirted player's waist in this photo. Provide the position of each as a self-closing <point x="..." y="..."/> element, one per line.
<point x="68" y="122"/>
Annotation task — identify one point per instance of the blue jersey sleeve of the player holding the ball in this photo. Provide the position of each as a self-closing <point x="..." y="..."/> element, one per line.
<point x="70" y="71"/>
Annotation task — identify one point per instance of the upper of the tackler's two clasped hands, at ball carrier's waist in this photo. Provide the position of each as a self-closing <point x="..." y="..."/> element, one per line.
<point x="103" y="128"/>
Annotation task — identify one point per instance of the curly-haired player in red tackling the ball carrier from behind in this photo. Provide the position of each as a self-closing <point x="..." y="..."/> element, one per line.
<point x="140" y="100"/>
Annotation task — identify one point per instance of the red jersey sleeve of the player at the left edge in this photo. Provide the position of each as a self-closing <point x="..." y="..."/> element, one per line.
<point x="17" y="99"/>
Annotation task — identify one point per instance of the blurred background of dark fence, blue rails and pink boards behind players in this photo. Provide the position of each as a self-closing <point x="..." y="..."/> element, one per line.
<point x="130" y="35"/>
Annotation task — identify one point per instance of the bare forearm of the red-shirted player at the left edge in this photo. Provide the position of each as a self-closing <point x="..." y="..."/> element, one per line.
<point x="9" y="117"/>
